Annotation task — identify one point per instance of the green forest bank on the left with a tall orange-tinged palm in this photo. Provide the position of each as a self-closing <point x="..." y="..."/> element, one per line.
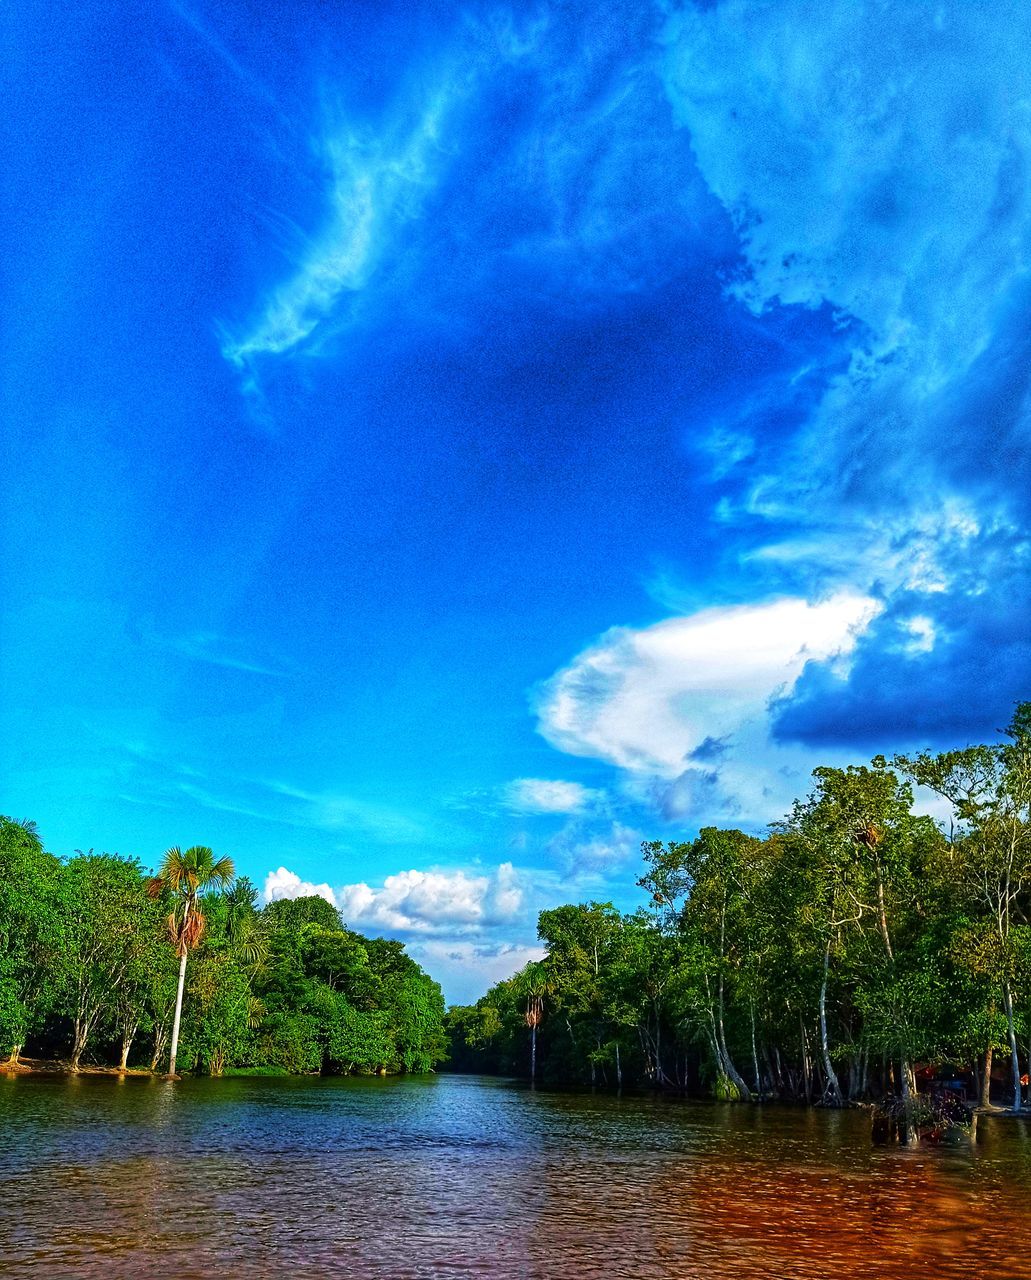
<point x="93" y="950"/>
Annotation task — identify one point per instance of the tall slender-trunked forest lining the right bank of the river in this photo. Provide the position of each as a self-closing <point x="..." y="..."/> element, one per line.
<point x="852" y="950"/>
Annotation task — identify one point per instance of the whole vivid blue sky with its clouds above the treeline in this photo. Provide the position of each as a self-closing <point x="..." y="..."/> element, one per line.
<point x="448" y="446"/>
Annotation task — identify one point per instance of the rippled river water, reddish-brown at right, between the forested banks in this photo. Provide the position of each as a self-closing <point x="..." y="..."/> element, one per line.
<point x="469" y="1177"/>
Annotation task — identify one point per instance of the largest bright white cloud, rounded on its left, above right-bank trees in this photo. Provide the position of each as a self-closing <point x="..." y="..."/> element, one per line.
<point x="683" y="706"/>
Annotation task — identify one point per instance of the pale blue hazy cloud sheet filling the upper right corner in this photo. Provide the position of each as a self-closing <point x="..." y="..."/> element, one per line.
<point x="838" y="145"/>
